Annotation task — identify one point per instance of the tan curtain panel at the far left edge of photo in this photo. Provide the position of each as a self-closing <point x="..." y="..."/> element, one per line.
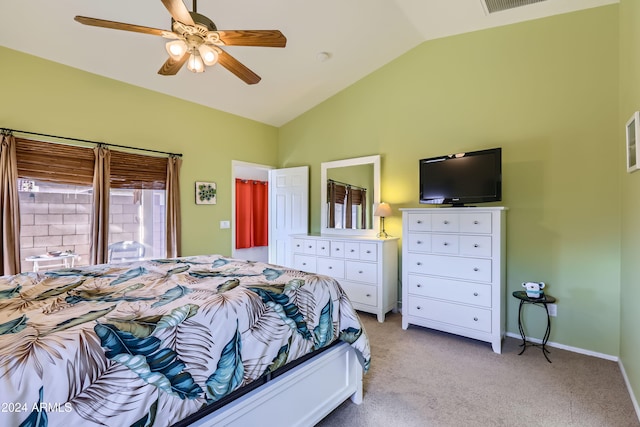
<point x="10" y="207"/>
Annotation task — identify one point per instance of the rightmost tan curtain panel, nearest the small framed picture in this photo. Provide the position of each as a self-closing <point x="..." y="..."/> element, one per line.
<point x="174" y="231"/>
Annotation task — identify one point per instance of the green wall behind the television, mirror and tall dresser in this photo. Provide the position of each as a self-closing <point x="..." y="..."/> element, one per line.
<point x="546" y="91"/>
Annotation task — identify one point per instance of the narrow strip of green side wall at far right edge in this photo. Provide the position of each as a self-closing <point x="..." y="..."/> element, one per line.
<point x="630" y="200"/>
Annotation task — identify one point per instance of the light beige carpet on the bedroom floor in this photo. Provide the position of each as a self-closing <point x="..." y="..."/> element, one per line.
<point x="421" y="377"/>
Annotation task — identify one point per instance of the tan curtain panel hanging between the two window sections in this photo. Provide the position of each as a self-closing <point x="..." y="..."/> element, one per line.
<point x="100" y="218"/>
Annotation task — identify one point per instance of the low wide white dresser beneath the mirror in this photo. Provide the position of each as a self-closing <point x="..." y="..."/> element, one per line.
<point x="366" y="268"/>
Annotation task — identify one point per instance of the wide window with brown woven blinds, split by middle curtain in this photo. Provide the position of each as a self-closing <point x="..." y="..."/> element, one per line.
<point x="56" y="196"/>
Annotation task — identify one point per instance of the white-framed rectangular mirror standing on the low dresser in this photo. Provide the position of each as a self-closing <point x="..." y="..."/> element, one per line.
<point x="350" y="191"/>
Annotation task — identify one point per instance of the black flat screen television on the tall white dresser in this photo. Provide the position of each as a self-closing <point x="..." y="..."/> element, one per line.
<point x="463" y="178"/>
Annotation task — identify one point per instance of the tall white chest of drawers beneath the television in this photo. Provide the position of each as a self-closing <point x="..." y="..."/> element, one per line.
<point x="453" y="271"/>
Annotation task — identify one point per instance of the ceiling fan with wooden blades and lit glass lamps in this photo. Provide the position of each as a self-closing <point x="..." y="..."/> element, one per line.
<point x="196" y="40"/>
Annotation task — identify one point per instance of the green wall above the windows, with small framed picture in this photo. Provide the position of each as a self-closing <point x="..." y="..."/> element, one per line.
<point x="45" y="97"/>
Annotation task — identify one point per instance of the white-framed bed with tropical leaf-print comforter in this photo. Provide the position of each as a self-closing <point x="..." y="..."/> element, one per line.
<point x="155" y="343"/>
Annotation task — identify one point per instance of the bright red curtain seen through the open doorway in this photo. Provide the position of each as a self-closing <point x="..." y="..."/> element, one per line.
<point x="252" y="213"/>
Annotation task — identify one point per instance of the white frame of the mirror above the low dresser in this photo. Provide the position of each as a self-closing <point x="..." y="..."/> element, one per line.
<point x="373" y="160"/>
